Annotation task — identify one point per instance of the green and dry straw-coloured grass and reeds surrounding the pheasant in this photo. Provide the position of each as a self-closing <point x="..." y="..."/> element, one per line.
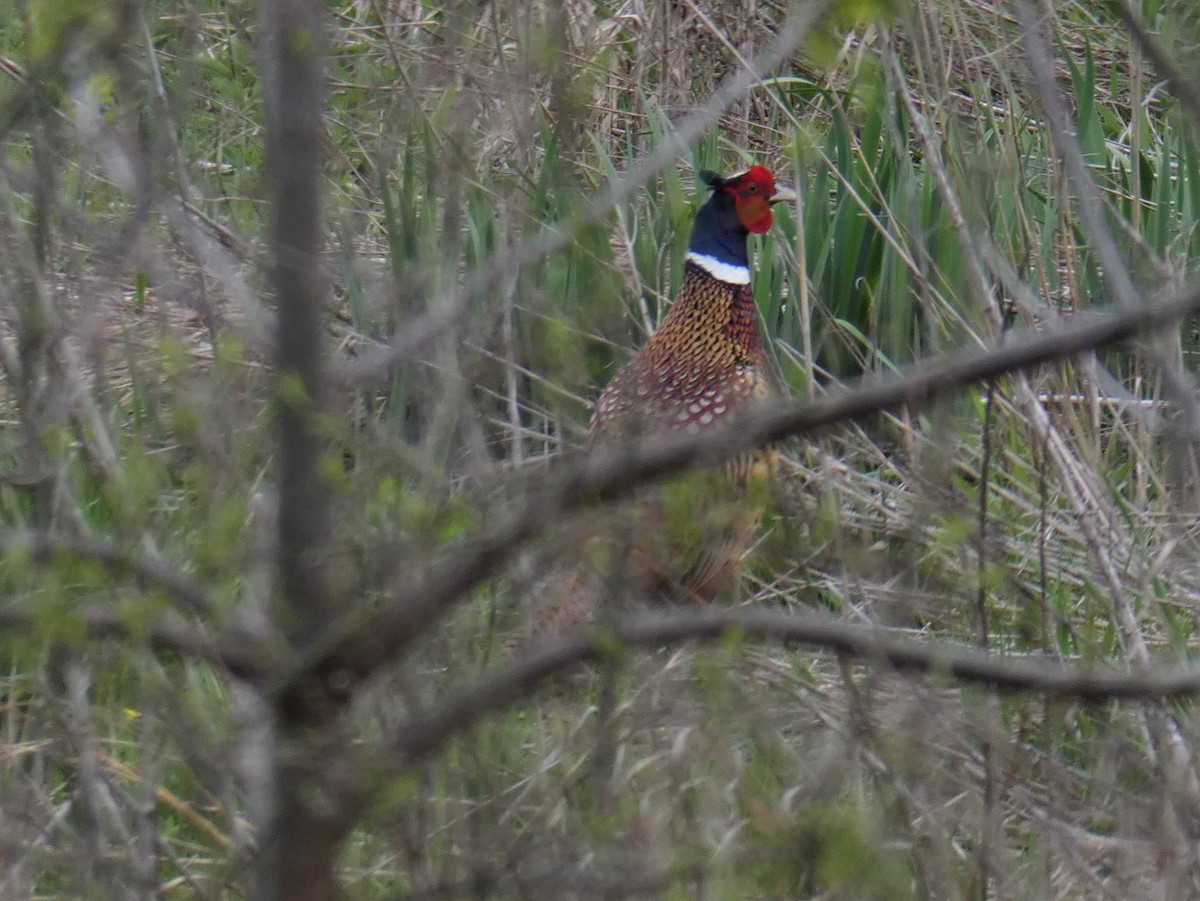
<point x="131" y="245"/>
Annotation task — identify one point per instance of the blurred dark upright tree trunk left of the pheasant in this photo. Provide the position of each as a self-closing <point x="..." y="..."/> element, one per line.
<point x="299" y="838"/>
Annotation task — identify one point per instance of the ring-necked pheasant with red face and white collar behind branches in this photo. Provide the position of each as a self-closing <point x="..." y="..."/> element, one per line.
<point x="703" y="363"/>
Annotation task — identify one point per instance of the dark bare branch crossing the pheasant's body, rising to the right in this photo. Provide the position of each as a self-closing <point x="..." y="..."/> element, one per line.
<point x="357" y="653"/>
